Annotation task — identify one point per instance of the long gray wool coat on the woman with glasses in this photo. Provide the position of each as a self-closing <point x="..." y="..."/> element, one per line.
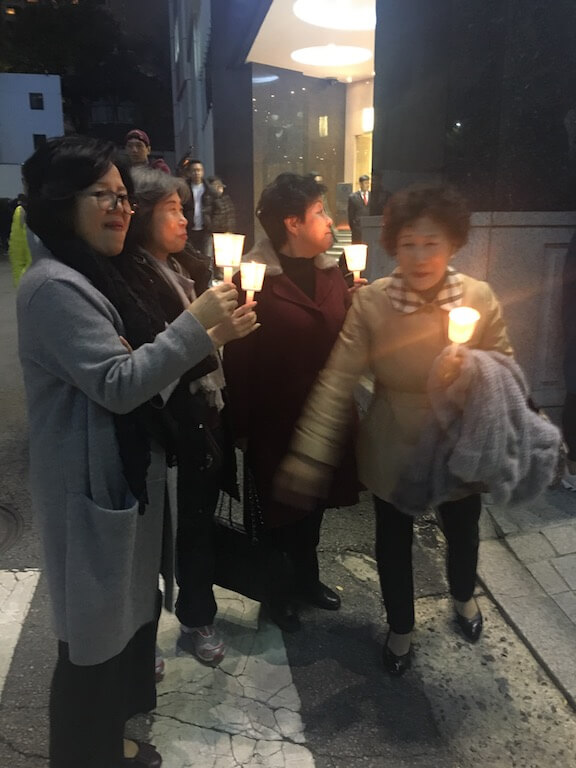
<point x="102" y="558"/>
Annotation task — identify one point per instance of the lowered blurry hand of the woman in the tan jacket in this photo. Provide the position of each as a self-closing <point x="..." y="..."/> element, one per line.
<point x="301" y="482"/>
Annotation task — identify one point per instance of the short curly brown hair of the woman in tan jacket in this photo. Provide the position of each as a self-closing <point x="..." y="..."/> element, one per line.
<point x="442" y="203"/>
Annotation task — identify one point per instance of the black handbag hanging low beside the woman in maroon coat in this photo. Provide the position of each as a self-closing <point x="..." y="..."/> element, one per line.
<point x="243" y="562"/>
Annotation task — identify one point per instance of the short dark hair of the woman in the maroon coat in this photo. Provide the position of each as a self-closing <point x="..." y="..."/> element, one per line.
<point x="288" y="195"/>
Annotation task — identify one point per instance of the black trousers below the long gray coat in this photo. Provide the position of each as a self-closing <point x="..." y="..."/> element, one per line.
<point x="89" y="705"/>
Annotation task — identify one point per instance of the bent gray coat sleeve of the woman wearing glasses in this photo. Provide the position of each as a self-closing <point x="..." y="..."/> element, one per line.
<point x="72" y="331"/>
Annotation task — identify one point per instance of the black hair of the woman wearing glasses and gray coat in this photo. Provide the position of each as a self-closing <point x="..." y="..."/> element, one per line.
<point x="57" y="172"/>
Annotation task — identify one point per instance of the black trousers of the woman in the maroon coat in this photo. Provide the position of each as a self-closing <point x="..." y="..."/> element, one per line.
<point x="298" y="542"/>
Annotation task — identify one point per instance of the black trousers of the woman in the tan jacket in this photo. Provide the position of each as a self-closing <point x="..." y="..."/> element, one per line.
<point x="394" y="533"/>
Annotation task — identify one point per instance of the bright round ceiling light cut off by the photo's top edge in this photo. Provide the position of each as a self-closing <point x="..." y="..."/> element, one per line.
<point x="349" y="15"/>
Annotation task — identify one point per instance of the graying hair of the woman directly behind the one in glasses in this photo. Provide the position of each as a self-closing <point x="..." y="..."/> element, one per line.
<point x="150" y="187"/>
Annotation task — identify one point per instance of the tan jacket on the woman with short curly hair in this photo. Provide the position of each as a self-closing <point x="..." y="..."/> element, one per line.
<point x="398" y="349"/>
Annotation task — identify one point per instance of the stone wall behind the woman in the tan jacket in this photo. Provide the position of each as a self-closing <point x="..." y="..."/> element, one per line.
<point x="521" y="255"/>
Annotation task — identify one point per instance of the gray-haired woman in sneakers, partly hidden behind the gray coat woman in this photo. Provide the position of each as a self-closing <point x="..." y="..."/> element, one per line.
<point x="158" y="258"/>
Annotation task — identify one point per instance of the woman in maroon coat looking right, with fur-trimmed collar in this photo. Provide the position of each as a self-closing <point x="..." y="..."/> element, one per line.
<point x="301" y="309"/>
